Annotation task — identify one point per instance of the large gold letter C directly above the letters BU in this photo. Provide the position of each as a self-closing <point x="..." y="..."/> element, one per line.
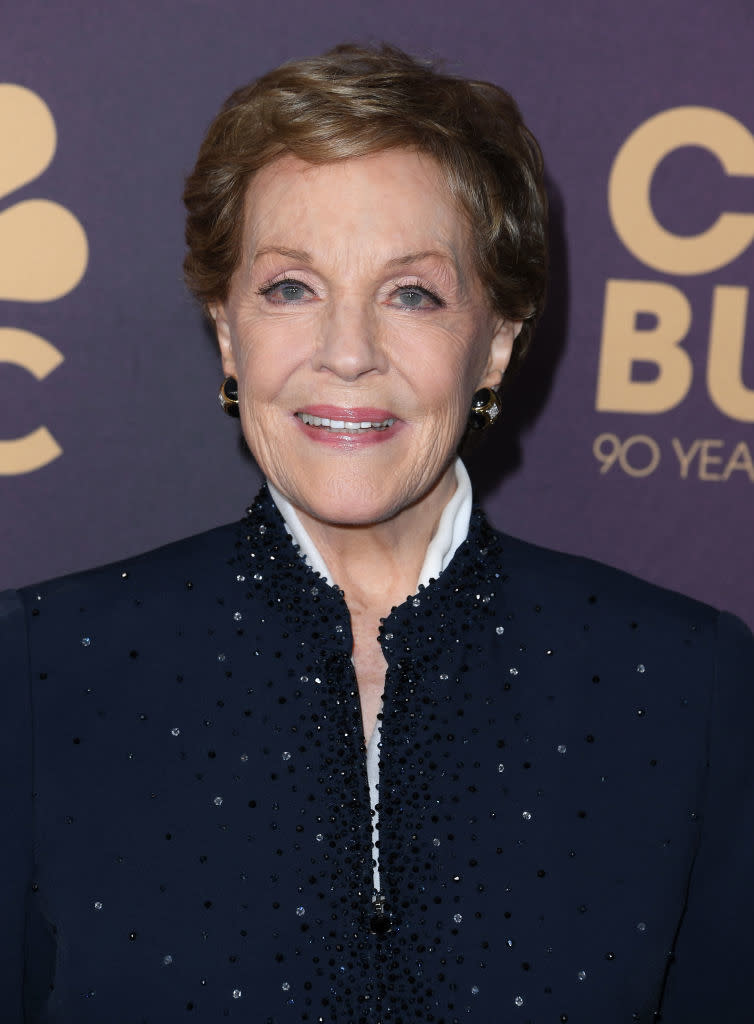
<point x="631" y="184"/>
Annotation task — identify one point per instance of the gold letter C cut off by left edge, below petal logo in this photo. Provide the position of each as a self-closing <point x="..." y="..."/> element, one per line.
<point x="23" y="455"/>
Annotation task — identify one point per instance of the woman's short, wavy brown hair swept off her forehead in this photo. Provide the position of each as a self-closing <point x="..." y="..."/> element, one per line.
<point x="356" y="101"/>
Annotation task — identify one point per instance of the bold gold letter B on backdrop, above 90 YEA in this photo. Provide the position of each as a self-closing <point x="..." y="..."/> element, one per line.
<point x="623" y="346"/>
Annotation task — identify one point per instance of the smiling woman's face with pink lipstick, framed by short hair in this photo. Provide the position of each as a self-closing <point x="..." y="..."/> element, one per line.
<point x="358" y="330"/>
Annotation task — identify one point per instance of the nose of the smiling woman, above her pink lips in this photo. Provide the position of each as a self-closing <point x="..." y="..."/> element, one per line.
<point x="350" y="344"/>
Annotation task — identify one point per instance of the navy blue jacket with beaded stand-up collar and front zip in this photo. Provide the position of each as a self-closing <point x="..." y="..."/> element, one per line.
<point x="567" y="796"/>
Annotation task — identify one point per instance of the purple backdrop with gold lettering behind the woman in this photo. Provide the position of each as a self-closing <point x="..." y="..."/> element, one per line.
<point x="654" y="371"/>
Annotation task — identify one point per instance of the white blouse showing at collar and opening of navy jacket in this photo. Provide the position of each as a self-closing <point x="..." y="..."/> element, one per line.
<point x="450" y="535"/>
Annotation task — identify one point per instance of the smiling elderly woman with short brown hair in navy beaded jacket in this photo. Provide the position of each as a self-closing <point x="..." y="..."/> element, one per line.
<point x="246" y="777"/>
